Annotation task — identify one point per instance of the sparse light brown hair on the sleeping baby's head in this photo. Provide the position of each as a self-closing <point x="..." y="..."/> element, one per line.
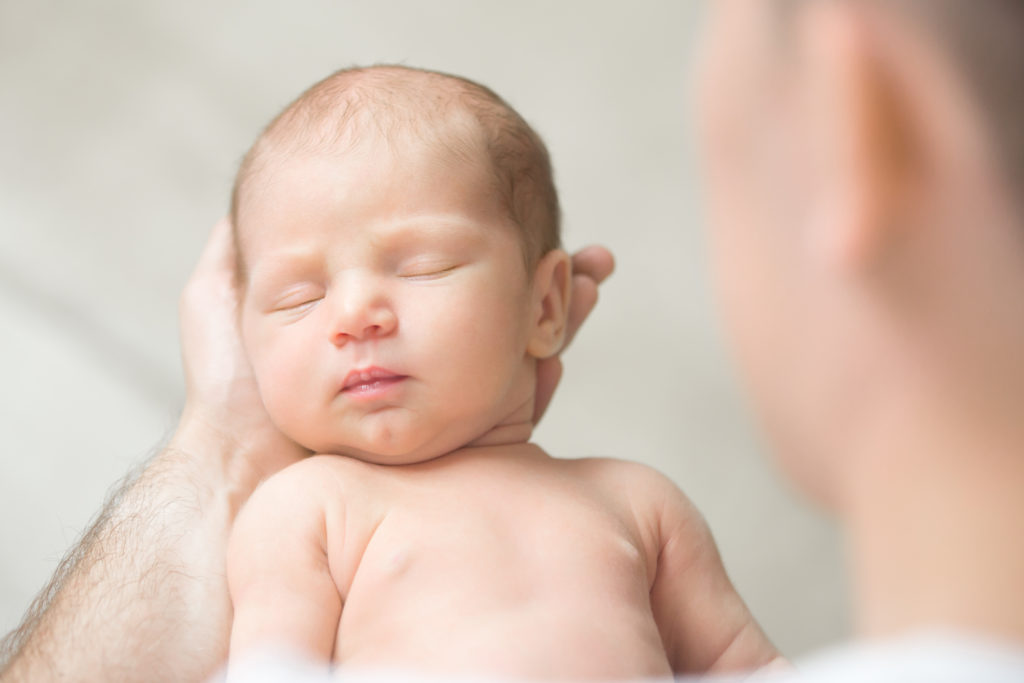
<point x="394" y="102"/>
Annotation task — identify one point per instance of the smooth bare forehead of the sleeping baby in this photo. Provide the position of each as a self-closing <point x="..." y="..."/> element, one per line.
<point x="402" y="198"/>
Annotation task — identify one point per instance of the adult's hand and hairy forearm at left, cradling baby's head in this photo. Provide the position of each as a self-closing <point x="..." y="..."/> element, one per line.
<point x="143" y="597"/>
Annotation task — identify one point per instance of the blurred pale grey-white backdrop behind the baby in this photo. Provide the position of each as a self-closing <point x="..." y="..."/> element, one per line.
<point x="121" y="124"/>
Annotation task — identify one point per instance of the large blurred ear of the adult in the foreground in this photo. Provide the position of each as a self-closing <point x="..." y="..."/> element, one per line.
<point x="859" y="135"/>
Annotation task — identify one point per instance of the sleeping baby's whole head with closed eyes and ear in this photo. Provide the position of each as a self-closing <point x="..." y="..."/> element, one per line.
<point x="398" y="234"/>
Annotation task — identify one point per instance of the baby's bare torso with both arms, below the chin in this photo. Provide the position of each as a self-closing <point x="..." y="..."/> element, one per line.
<point x="494" y="560"/>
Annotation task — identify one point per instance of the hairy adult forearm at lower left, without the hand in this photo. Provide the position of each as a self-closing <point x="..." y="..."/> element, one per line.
<point x="143" y="596"/>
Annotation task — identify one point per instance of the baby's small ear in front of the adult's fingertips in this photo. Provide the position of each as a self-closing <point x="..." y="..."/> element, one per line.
<point x="550" y="305"/>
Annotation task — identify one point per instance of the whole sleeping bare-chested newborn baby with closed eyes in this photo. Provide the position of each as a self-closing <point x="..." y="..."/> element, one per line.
<point x="399" y="255"/>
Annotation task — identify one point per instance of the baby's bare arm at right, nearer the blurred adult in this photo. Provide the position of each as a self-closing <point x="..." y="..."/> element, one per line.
<point x="705" y="625"/>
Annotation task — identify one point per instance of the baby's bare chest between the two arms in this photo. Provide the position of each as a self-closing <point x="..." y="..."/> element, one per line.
<point x="503" y="566"/>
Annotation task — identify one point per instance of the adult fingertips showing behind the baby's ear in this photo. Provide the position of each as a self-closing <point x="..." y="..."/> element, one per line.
<point x="591" y="266"/>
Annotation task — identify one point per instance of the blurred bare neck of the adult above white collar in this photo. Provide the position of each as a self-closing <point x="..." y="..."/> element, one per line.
<point x="934" y="508"/>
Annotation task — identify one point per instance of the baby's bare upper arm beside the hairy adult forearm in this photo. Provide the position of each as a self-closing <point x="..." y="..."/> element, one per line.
<point x="281" y="586"/>
